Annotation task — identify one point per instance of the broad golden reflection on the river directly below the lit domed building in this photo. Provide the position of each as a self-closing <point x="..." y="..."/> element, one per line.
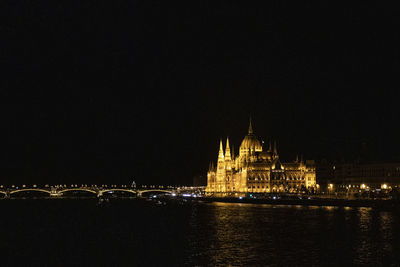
<point x="243" y="232"/>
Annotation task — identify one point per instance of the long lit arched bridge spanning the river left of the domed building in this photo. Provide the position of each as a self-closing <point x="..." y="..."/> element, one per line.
<point x="60" y="190"/>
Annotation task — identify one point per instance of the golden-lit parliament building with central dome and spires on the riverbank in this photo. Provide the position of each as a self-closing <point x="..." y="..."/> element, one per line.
<point x="257" y="170"/>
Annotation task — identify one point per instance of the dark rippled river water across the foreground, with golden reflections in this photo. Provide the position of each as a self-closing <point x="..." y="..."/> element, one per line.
<point x="133" y="233"/>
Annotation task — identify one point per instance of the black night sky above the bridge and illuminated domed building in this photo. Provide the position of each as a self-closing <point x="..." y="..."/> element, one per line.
<point x="107" y="91"/>
